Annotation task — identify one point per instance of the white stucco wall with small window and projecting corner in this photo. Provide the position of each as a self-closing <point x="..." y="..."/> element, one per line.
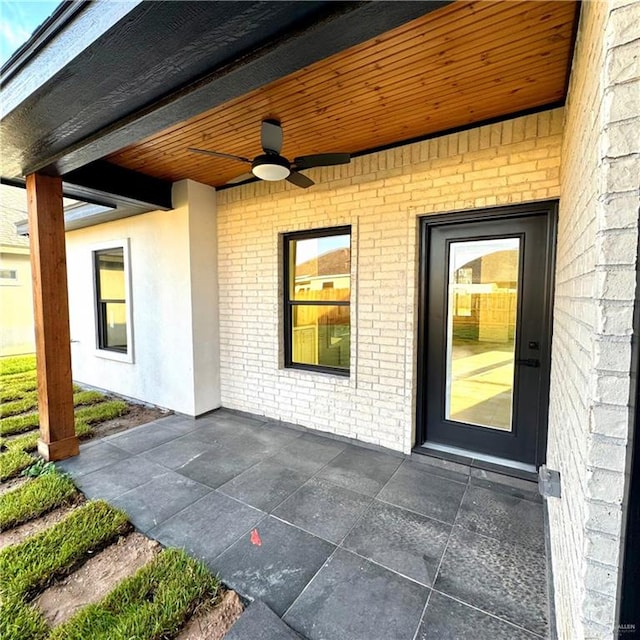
<point x="173" y="299"/>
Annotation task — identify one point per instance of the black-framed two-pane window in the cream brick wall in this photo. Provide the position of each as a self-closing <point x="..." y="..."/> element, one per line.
<point x="317" y="269"/>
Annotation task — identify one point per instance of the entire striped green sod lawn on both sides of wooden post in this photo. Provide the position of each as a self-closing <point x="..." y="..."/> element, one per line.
<point x="151" y="604"/>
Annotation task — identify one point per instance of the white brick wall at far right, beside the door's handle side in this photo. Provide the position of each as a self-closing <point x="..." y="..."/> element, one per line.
<point x="595" y="291"/>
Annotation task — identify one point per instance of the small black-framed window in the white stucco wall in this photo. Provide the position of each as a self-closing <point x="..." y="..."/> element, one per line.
<point x="111" y="294"/>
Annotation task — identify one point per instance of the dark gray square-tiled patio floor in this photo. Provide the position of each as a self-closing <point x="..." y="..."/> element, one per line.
<point x="342" y="542"/>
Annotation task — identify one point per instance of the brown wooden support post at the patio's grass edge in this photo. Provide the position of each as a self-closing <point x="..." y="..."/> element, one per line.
<point x="58" y="439"/>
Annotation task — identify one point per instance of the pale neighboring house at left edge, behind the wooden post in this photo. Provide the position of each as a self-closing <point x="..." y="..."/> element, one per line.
<point x="16" y="296"/>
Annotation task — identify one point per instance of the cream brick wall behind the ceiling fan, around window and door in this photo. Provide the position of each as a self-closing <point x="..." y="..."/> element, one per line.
<point x="380" y="195"/>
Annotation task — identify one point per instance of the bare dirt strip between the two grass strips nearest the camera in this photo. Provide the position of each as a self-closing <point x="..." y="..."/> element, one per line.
<point x="96" y="578"/>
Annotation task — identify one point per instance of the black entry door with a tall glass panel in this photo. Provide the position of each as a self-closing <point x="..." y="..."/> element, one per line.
<point x="485" y="341"/>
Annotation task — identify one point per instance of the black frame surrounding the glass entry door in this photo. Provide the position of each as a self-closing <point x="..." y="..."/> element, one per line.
<point x="510" y="212"/>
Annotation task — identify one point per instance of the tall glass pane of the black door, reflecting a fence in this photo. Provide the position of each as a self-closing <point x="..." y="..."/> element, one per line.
<point x="482" y="302"/>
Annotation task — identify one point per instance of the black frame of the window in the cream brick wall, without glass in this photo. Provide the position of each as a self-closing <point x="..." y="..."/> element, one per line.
<point x="289" y="303"/>
